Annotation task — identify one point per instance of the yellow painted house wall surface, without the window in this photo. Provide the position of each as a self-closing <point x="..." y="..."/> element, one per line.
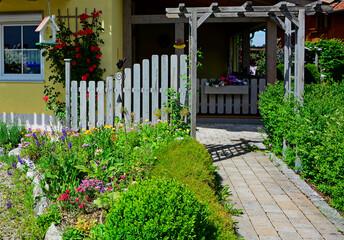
<point x="27" y="98"/>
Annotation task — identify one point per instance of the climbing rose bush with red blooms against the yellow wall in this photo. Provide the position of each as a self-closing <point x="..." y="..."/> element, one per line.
<point x="83" y="48"/>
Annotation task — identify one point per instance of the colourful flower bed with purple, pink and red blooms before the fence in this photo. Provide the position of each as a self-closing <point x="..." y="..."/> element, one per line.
<point x="85" y="176"/>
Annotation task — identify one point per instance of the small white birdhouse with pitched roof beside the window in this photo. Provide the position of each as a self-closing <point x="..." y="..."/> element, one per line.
<point x="46" y="27"/>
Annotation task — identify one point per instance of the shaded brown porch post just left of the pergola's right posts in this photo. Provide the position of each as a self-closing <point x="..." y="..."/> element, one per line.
<point x="271" y="49"/>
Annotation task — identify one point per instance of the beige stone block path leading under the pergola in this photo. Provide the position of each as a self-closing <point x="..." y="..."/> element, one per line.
<point x="274" y="208"/>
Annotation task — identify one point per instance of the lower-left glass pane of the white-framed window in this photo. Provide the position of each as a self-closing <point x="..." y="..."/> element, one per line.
<point x="13" y="61"/>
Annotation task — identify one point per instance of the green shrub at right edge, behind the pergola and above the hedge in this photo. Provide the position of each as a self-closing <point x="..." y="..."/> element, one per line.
<point x="331" y="54"/>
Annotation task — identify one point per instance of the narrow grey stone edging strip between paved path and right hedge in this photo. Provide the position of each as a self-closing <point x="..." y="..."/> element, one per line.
<point x="316" y="199"/>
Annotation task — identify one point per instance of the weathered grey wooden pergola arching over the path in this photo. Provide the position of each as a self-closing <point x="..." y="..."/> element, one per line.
<point x="288" y="16"/>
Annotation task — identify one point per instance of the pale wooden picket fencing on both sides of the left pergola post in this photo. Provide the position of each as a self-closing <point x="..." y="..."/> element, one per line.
<point x="143" y="91"/>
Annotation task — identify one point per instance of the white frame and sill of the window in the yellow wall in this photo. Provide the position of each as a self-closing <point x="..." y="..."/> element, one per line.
<point x="19" y="20"/>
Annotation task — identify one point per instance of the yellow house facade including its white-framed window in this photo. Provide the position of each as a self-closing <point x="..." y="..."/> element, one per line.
<point x="21" y="88"/>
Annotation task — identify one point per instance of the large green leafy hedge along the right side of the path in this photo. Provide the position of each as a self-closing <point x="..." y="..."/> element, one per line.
<point x="316" y="131"/>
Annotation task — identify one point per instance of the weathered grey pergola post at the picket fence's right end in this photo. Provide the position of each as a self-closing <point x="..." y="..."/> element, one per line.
<point x="193" y="69"/>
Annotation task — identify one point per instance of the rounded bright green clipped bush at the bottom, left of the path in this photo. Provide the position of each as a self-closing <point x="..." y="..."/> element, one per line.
<point x="156" y="209"/>
